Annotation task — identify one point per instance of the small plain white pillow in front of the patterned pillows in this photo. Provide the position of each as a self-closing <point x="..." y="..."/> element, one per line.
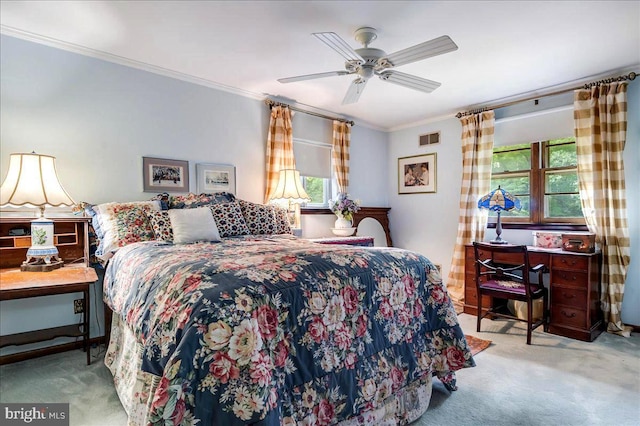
<point x="191" y="225"/>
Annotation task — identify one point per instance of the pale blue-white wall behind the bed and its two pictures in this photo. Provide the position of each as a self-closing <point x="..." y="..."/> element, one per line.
<point x="99" y="119"/>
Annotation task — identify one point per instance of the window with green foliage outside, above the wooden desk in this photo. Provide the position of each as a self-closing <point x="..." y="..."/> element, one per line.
<point x="544" y="176"/>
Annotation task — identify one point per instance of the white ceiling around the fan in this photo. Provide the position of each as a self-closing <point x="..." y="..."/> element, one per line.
<point x="507" y="49"/>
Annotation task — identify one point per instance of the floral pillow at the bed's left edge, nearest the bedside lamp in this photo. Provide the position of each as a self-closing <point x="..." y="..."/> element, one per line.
<point x="124" y="223"/>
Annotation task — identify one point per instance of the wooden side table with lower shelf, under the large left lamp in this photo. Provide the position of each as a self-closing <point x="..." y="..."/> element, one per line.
<point x="15" y="284"/>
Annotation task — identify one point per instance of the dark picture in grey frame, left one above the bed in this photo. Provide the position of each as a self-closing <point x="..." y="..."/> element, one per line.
<point x="160" y="174"/>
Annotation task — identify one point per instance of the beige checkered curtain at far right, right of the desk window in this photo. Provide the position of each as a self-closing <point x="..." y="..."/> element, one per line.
<point x="600" y="120"/>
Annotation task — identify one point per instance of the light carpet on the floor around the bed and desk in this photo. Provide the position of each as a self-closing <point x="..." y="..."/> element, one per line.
<point x="554" y="381"/>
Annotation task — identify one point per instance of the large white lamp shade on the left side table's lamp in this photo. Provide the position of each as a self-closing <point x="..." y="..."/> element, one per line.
<point x="32" y="181"/>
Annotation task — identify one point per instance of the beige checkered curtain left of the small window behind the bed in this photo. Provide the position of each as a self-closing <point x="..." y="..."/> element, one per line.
<point x="279" y="147"/>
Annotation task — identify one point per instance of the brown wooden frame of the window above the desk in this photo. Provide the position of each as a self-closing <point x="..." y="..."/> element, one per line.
<point x="539" y="167"/>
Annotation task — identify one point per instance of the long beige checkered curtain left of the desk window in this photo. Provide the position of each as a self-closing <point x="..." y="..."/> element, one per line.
<point x="477" y="152"/>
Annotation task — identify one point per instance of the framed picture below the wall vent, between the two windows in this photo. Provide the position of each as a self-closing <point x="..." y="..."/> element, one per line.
<point x="417" y="174"/>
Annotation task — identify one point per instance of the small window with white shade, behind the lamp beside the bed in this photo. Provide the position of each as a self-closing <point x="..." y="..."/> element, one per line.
<point x="313" y="160"/>
